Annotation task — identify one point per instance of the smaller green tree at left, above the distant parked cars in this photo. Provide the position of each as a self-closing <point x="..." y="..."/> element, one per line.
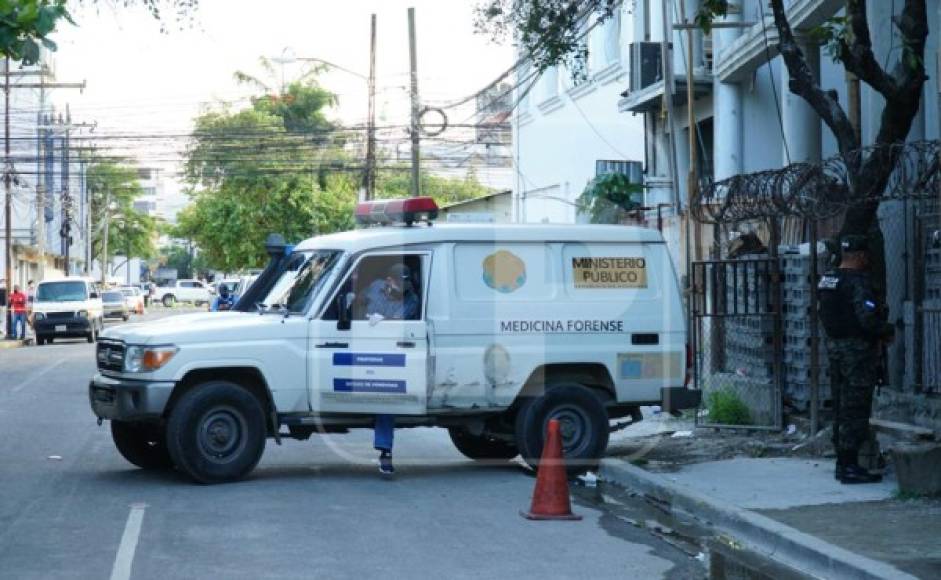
<point x="120" y="229"/>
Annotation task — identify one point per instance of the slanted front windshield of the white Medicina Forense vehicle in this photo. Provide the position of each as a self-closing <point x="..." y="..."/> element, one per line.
<point x="300" y="280"/>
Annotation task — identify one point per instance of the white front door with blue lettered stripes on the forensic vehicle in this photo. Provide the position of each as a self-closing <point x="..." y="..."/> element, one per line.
<point x="379" y="364"/>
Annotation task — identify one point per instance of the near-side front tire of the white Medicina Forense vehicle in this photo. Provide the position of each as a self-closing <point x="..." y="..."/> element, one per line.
<point x="216" y="432"/>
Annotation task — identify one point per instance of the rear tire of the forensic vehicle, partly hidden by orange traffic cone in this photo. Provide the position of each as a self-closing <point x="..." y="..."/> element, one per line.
<point x="584" y="420"/>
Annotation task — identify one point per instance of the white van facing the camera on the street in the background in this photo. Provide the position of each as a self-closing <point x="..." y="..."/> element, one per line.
<point x="67" y="308"/>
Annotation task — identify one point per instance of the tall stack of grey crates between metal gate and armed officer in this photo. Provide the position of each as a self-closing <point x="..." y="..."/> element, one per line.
<point x="797" y="289"/>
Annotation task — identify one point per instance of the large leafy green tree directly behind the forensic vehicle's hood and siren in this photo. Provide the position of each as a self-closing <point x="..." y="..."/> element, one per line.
<point x="276" y="166"/>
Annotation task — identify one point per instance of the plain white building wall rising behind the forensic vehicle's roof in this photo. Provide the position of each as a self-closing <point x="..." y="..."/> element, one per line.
<point x="567" y="129"/>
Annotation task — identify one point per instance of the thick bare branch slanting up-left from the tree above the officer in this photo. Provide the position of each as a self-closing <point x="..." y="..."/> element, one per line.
<point x="805" y="85"/>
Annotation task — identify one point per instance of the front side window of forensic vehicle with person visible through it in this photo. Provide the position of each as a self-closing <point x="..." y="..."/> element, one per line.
<point x="389" y="285"/>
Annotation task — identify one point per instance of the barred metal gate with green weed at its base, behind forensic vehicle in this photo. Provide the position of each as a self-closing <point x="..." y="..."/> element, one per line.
<point x="737" y="340"/>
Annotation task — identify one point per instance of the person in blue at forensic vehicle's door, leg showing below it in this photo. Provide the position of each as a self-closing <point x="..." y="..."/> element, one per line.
<point x="390" y="298"/>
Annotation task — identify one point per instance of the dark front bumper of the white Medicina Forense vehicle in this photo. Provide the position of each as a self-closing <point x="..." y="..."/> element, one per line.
<point x="127" y="399"/>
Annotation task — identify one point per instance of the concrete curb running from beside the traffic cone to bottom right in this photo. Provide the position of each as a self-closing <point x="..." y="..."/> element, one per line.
<point x="774" y="540"/>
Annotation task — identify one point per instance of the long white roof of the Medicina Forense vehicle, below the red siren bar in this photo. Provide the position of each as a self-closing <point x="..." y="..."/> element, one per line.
<point x="364" y="239"/>
